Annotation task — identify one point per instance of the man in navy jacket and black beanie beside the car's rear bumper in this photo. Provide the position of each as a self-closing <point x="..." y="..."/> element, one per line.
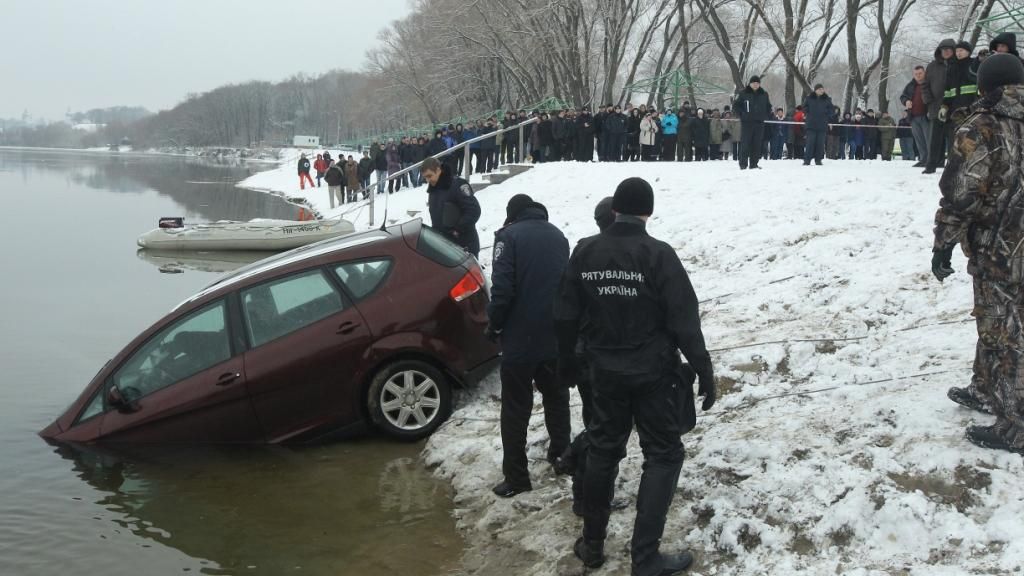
<point x="530" y="258"/>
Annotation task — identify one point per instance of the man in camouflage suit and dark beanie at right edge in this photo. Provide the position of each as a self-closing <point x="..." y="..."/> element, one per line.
<point x="983" y="209"/>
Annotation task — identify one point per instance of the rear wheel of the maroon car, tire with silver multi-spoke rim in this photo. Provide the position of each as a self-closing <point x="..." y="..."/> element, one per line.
<point x="409" y="400"/>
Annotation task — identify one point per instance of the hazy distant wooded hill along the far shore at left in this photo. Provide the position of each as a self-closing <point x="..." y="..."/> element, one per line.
<point x="338" y="106"/>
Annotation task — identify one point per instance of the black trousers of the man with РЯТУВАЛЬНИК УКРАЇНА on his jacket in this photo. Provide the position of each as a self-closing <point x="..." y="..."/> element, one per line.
<point x="654" y="405"/>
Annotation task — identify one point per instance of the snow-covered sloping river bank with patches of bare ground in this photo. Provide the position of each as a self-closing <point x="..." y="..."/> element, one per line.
<point x="834" y="449"/>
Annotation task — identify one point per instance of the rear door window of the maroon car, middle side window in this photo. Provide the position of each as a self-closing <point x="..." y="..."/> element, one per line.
<point x="282" y="307"/>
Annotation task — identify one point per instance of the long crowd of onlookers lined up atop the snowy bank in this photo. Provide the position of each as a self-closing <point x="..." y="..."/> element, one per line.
<point x="934" y="102"/>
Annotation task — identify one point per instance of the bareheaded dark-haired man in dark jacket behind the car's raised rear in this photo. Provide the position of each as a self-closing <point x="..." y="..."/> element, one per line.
<point x="454" y="210"/>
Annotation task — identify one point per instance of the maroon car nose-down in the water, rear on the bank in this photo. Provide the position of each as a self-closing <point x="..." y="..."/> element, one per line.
<point x="376" y="326"/>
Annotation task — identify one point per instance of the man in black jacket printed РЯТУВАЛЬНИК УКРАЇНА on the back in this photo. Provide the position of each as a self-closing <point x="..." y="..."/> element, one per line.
<point x="634" y="303"/>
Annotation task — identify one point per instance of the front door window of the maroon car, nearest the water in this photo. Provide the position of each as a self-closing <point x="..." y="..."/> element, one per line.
<point x="196" y="343"/>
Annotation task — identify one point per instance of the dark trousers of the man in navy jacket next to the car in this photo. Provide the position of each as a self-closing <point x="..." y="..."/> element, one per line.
<point x="518" y="404"/>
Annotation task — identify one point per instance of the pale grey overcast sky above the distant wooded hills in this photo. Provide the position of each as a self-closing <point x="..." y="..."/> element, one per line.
<point x="79" y="55"/>
